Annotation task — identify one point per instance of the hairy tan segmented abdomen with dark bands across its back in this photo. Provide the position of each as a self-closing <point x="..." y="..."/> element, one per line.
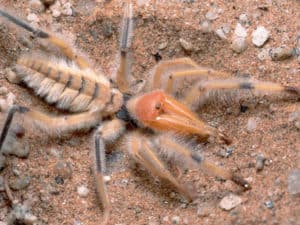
<point x="64" y="84"/>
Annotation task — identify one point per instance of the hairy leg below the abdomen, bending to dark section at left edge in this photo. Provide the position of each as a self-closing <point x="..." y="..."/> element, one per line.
<point x="49" y="124"/>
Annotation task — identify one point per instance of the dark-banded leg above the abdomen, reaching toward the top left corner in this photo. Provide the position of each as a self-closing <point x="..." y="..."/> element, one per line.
<point x="60" y="43"/>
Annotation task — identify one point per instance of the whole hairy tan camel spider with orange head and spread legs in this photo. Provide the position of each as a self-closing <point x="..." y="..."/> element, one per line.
<point x="72" y="85"/>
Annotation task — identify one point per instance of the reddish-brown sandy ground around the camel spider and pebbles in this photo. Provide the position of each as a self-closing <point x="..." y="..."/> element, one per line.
<point x="136" y="197"/>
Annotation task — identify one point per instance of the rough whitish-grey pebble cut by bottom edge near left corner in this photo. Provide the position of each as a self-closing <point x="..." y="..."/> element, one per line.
<point x="20" y="214"/>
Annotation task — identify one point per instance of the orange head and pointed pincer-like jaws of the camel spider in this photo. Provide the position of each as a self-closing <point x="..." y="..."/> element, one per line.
<point x="162" y="112"/>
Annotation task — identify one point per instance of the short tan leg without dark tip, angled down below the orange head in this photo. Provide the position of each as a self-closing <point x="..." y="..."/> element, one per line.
<point x="143" y="153"/>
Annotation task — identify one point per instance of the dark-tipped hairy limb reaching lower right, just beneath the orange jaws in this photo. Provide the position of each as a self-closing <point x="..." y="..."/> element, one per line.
<point x="181" y="152"/>
